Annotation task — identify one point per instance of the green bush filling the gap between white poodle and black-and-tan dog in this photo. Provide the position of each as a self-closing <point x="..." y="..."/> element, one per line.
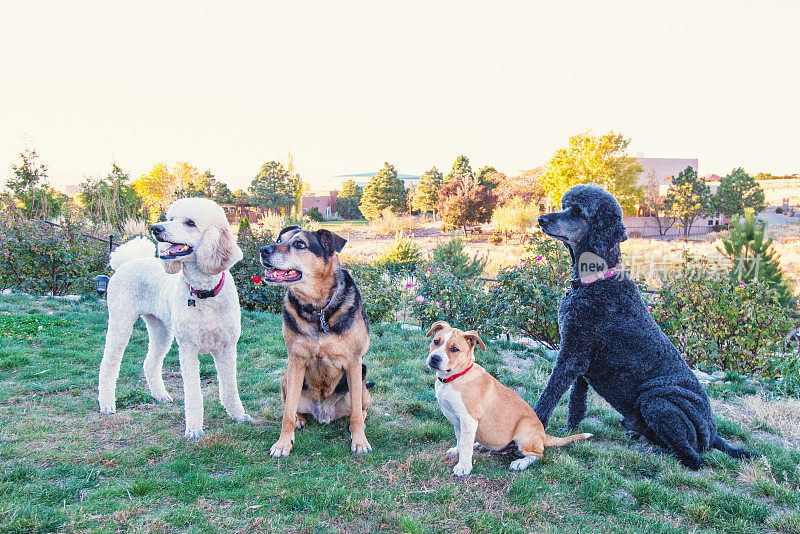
<point x="253" y="293"/>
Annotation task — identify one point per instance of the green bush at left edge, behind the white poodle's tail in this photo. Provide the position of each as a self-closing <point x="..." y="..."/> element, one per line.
<point x="38" y="257"/>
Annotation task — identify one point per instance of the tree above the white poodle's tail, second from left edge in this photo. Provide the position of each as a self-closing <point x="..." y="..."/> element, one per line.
<point x="111" y="199"/>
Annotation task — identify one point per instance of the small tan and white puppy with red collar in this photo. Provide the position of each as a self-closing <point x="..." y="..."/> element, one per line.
<point x="483" y="411"/>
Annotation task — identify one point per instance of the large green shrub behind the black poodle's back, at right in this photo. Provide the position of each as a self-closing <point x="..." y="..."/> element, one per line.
<point x="719" y="323"/>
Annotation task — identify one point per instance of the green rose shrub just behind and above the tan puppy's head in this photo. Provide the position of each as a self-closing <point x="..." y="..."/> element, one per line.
<point x="443" y="296"/>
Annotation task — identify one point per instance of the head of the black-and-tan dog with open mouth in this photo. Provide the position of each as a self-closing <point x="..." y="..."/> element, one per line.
<point x="301" y="257"/>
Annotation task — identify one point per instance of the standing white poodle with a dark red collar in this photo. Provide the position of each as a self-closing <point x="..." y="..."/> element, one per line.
<point x="198" y="306"/>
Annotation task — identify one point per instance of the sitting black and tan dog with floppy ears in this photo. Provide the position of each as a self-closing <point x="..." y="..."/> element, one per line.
<point x="326" y="334"/>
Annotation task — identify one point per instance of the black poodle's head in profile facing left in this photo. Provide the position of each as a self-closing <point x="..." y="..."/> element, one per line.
<point x="590" y="220"/>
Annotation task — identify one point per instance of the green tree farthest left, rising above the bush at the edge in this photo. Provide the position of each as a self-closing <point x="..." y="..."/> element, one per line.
<point x="28" y="185"/>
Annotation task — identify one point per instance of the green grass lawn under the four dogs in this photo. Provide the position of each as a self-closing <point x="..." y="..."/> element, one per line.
<point x="66" y="468"/>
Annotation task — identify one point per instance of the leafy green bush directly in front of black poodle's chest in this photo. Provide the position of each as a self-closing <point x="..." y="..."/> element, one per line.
<point x="527" y="296"/>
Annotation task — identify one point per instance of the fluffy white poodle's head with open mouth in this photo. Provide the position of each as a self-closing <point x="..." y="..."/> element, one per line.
<point x="196" y="230"/>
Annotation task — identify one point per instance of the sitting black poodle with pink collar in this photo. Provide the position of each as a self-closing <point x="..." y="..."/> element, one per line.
<point x="610" y="342"/>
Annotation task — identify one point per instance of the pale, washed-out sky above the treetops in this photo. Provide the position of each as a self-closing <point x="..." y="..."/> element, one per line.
<point x="348" y="85"/>
